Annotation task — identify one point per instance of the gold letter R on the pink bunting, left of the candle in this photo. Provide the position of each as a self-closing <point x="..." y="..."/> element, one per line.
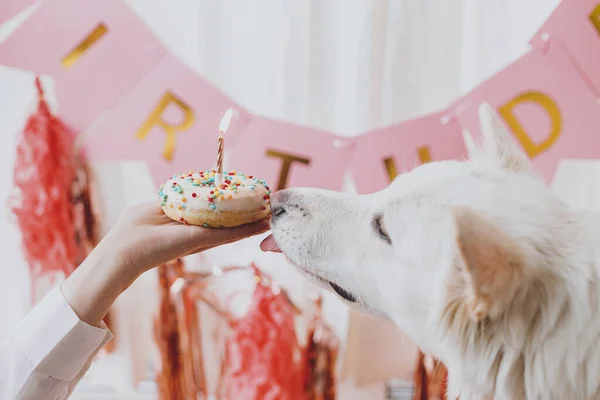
<point x="170" y="130"/>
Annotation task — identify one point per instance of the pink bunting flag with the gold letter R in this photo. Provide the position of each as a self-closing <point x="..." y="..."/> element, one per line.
<point x="170" y="119"/>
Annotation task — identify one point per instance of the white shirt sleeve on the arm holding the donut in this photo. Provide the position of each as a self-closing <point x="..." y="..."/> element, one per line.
<point x="48" y="352"/>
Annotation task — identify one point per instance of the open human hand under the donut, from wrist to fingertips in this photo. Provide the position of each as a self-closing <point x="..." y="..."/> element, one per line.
<point x="145" y="237"/>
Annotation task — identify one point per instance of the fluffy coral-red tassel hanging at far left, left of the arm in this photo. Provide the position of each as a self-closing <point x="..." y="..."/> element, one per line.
<point x="42" y="198"/>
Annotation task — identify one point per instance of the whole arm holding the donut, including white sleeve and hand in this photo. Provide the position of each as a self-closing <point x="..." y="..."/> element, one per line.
<point x="53" y="346"/>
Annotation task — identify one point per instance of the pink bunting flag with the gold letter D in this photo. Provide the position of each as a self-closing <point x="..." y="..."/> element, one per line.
<point x="545" y="103"/>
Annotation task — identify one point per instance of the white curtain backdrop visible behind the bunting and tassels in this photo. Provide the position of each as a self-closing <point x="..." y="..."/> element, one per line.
<point x="343" y="65"/>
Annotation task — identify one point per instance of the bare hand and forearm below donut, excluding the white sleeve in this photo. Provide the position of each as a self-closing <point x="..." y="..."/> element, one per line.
<point x="144" y="237"/>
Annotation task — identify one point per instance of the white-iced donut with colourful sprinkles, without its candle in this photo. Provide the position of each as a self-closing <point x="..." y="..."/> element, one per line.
<point x="193" y="198"/>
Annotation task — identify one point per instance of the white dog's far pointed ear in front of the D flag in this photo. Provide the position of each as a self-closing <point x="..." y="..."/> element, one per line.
<point x="498" y="145"/>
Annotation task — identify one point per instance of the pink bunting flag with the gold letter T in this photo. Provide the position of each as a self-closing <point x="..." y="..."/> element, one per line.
<point x="288" y="155"/>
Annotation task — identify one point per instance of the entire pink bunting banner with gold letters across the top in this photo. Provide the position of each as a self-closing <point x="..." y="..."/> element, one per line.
<point x="135" y="101"/>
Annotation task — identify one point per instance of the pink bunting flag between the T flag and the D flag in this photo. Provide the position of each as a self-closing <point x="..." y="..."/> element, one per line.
<point x="382" y="154"/>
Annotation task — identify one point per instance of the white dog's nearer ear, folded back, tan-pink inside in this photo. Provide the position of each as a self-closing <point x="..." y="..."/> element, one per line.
<point x="492" y="263"/>
